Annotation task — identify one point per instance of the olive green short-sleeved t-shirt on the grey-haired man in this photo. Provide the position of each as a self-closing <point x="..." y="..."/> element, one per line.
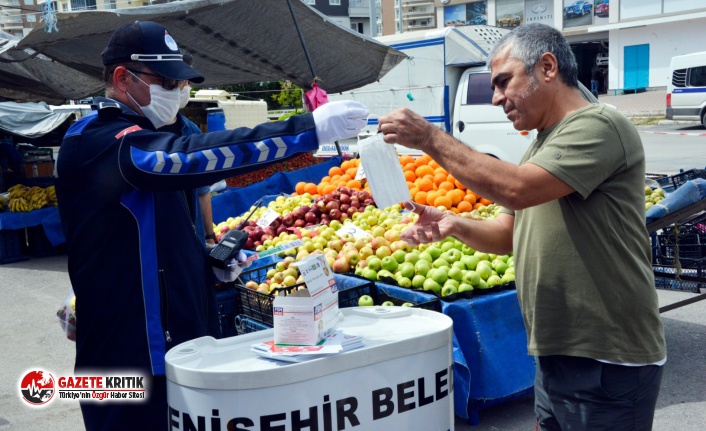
<point x="584" y="271"/>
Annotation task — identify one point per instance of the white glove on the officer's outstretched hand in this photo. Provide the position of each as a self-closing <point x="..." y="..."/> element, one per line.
<point x="339" y="120"/>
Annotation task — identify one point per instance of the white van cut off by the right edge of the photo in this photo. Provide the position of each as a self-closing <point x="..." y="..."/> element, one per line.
<point x="686" y="90"/>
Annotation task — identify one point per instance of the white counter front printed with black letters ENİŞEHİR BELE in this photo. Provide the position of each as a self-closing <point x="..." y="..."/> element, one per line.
<point x="413" y="392"/>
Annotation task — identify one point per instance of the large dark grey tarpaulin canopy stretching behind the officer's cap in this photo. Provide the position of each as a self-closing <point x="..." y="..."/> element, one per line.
<point x="232" y="41"/>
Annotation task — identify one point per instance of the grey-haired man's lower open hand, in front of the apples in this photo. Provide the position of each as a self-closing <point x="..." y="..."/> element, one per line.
<point x="432" y="225"/>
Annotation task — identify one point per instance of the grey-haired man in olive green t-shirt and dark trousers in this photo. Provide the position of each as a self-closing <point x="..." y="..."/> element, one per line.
<point x="575" y="219"/>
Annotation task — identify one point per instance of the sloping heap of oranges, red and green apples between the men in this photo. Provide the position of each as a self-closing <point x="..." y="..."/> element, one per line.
<point x="338" y="218"/>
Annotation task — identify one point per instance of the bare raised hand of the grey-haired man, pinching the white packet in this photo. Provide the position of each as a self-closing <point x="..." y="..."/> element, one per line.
<point x="405" y="127"/>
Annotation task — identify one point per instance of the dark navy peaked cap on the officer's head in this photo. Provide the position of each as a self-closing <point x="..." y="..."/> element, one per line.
<point x="151" y="44"/>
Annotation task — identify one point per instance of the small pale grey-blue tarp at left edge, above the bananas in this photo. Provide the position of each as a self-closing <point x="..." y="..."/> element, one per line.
<point x="30" y="120"/>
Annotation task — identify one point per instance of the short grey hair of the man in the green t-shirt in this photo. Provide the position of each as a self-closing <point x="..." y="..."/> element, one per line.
<point x="529" y="42"/>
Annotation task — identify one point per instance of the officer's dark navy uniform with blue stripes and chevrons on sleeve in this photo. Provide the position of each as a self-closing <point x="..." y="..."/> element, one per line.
<point x="139" y="276"/>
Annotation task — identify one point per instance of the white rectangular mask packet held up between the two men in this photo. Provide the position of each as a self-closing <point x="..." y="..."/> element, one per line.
<point x="383" y="171"/>
